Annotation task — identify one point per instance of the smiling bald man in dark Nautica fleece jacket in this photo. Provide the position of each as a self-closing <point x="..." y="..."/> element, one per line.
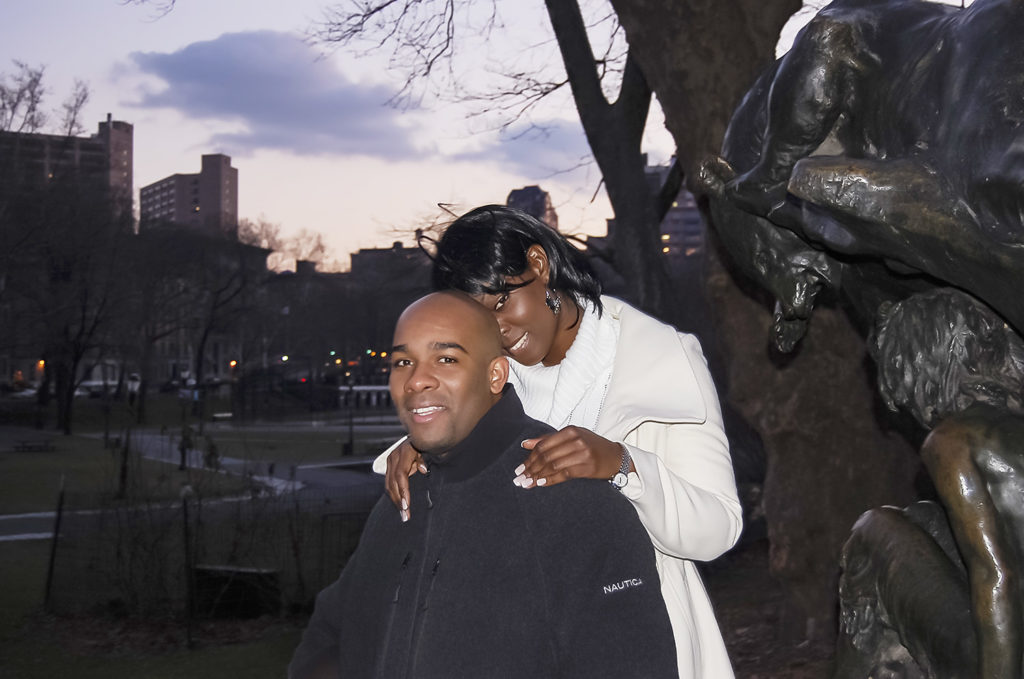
<point x="487" y="581"/>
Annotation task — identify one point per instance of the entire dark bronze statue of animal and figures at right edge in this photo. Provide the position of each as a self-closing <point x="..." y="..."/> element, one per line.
<point x="882" y="159"/>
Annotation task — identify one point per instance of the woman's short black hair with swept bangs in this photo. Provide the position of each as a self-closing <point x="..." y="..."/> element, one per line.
<point x="481" y="250"/>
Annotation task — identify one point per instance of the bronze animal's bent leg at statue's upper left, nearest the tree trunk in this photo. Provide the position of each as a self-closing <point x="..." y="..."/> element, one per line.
<point x="817" y="81"/>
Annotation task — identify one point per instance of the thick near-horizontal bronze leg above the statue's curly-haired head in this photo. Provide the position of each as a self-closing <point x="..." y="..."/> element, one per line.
<point x="907" y="214"/>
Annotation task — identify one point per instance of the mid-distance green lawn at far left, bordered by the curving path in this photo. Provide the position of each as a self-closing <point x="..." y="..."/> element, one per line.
<point x="31" y="482"/>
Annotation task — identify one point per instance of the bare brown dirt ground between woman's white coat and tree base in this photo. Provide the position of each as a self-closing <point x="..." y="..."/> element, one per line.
<point x="749" y="605"/>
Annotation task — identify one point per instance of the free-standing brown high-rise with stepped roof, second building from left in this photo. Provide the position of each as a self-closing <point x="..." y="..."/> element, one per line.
<point x="207" y="202"/>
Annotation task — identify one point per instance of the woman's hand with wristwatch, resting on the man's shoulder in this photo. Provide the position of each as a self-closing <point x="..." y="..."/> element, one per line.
<point x="572" y="453"/>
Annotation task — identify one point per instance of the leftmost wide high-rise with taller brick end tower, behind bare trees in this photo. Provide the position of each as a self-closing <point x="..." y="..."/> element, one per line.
<point x="104" y="160"/>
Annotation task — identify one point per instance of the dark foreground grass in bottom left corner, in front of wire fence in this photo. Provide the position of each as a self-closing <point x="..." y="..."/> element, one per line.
<point x="30" y="649"/>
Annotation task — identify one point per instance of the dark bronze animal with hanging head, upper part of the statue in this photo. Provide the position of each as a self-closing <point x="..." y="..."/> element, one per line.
<point x="921" y="107"/>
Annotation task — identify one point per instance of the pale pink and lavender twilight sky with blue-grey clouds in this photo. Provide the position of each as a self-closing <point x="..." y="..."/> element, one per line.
<point x="316" y="145"/>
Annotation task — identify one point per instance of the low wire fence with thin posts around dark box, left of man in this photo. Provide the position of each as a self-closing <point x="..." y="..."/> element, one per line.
<point x="200" y="559"/>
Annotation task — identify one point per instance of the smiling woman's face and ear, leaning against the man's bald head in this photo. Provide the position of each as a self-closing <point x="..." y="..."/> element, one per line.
<point x="531" y="332"/>
